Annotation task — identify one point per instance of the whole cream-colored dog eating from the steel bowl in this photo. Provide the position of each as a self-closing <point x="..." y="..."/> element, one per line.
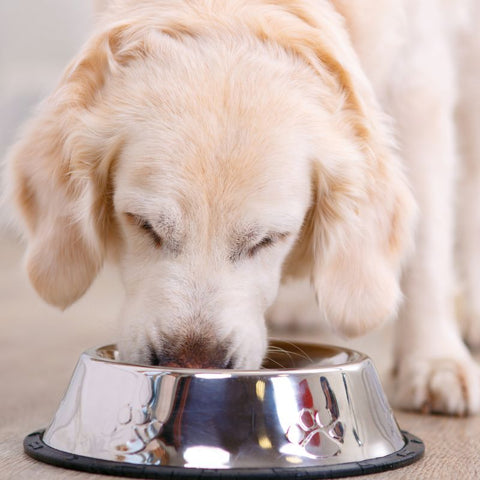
<point x="214" y="148"/>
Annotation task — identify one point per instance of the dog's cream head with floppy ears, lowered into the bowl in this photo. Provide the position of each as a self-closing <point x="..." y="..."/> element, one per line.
<point x="210" y="158"/>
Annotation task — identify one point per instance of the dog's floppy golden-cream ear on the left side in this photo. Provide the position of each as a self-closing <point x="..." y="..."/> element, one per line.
<point x="59" y="178"/>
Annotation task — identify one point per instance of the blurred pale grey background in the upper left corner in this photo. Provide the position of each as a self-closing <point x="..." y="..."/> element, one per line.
<point x="37" y="39"/>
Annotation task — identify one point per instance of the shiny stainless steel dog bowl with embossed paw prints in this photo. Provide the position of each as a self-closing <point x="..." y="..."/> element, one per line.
<point x="312" y="410"/>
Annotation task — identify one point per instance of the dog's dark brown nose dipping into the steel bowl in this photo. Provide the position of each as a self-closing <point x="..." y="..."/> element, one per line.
<point x="192" y="351"/>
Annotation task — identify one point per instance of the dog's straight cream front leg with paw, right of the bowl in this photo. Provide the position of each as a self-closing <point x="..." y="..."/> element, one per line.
<point x="434" y="370"/>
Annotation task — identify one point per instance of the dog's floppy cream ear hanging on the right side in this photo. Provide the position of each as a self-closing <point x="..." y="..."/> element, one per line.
<point x="355" y="238"/>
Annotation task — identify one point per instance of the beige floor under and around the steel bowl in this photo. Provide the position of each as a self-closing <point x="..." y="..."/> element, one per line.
<point x="39" y="347"/>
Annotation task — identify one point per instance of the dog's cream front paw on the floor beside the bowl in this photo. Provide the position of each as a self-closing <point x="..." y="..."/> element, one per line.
<point x="437" y="385"/>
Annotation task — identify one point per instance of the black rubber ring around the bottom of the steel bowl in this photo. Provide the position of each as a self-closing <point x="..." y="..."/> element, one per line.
<point x="36" y="448"/>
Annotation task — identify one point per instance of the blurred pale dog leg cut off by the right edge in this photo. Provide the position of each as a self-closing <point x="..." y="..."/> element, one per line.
<point x="468" y="218"/>
